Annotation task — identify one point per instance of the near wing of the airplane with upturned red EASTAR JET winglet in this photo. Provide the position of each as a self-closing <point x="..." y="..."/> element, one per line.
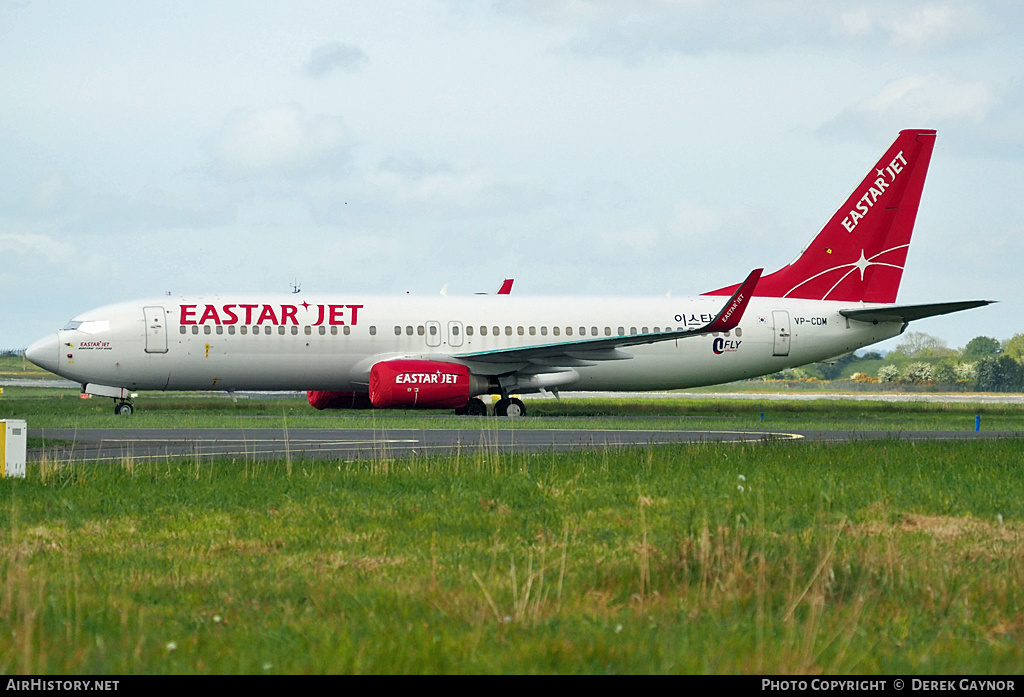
<point x="581" y="353"/>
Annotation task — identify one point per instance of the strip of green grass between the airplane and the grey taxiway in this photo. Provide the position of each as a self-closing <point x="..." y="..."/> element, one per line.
<point x="57" y="409"/>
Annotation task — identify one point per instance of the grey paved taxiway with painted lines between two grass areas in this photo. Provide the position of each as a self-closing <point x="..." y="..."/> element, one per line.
<point x="98" y="446"/>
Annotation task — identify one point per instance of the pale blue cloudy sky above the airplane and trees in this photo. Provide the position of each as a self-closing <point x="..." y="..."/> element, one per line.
<point x="579" y="147"/>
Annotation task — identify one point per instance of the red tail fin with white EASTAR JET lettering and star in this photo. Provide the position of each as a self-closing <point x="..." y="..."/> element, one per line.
<point x="861" y="253"/>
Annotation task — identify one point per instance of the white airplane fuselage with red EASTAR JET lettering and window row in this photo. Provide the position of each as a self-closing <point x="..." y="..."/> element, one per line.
<point x="280" y="343"/>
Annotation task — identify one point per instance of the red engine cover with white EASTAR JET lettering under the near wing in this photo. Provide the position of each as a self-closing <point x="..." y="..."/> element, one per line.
<point x="419" y="384"/>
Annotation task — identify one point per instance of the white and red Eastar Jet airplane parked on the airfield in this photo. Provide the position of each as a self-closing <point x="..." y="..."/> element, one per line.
<point x="363" y="352"/>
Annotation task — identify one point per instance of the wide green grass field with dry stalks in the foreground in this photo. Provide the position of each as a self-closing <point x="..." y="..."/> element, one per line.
<point x="880" y="557"/>
